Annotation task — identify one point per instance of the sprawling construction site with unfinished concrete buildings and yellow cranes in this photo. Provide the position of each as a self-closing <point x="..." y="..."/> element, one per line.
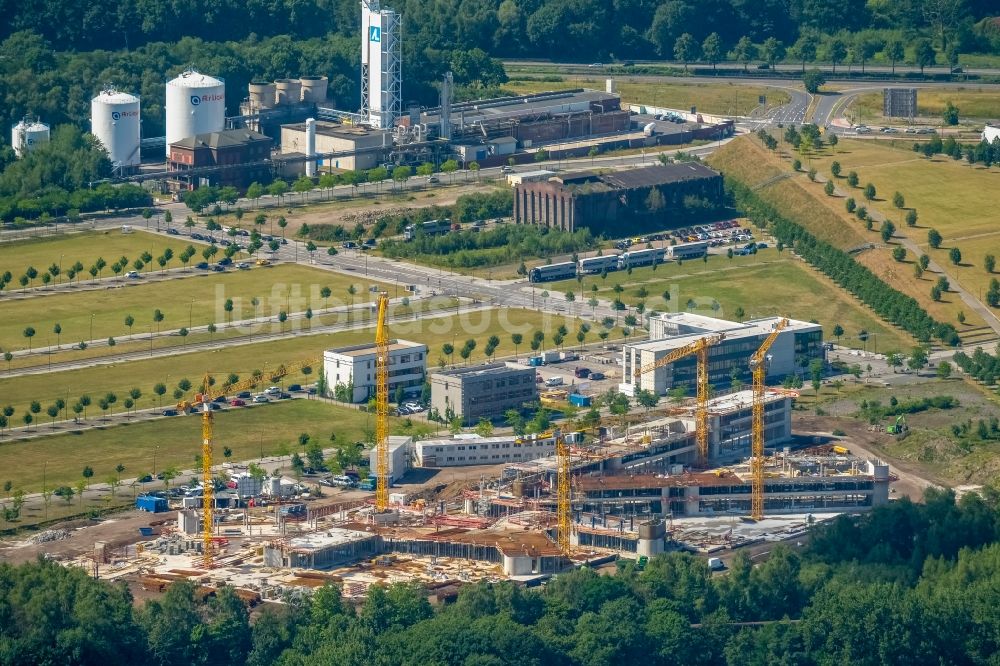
<point x="716" y="475"/>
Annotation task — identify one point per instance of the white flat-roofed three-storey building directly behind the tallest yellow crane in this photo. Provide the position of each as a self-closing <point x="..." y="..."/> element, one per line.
<point x="354" y="367"/>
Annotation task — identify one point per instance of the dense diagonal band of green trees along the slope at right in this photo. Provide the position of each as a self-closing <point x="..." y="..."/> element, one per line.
<point x="890" y="304"/>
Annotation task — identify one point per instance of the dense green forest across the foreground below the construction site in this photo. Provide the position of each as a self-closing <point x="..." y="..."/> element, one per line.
<point x="907" y="583"/>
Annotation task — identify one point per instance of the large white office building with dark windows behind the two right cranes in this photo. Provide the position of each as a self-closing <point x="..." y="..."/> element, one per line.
<point x="798" y="344"/>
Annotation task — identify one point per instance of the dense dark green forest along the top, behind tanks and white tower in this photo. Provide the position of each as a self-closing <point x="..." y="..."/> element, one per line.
<point x="55" y="55"/>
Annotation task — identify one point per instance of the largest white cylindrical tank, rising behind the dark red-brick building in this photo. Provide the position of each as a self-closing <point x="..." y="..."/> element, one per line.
<point x="196" y="104"/>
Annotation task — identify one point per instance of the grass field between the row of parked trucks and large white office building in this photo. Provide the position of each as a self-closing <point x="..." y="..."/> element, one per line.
<point x="766" y="284"/>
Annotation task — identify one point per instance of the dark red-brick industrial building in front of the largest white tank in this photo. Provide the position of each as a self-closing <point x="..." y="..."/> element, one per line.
<point x="220" y="149"/>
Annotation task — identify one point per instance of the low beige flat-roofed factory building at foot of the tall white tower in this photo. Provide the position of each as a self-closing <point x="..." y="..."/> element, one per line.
<point x="368" y="145"/>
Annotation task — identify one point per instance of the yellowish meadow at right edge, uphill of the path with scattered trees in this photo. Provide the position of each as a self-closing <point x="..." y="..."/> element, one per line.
<point x="958" y="200"/>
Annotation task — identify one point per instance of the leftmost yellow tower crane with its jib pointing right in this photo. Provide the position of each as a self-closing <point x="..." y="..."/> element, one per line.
<point x="203" y="403"/>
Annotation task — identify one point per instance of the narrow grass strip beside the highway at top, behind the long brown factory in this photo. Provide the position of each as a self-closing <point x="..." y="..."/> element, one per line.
<point x="720" y="98"/>
